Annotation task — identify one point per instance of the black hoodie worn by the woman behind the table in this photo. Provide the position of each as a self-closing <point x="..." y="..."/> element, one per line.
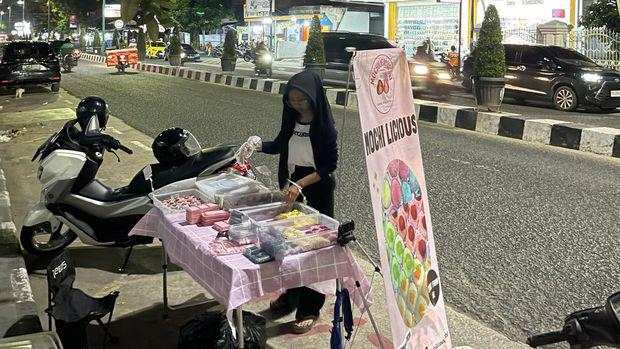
<point x="323" y="134"/>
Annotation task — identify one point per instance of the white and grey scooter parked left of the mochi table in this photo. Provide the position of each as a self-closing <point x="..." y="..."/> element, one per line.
<point x="75" y="204"/>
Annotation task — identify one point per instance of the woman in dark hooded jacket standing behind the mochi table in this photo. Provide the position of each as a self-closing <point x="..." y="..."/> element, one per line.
<point x="307" y="146"/>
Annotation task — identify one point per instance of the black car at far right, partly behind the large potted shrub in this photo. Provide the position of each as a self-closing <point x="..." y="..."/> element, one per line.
<point x="560" y="75"/>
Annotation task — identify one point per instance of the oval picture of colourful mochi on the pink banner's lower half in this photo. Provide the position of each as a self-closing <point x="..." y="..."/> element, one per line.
<point x="406" y="243"/>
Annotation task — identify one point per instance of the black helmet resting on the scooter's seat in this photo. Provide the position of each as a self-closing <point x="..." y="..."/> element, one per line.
<point x="175" y="146"/>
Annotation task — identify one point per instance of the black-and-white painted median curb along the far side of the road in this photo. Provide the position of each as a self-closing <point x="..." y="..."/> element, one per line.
<point x="598" y="140"/>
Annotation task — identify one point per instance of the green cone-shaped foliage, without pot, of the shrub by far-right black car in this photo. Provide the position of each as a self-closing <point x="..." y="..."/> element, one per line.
<point x="489" y="59"/>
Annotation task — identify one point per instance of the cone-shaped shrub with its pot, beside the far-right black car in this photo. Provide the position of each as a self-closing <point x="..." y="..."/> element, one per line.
<point x="489" y="63"/>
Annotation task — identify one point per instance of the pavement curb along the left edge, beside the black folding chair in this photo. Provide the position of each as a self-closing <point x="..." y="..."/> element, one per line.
<point x="18" y="310"/>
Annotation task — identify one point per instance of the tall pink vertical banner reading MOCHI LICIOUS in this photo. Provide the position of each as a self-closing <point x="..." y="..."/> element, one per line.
<point x="399" y="200"/>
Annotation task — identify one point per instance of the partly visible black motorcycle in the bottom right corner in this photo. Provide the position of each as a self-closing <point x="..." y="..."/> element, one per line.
<point x="587" y="328"/>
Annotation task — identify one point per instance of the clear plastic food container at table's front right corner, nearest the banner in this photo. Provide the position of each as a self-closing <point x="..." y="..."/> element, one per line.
<point x="296" y="235"/>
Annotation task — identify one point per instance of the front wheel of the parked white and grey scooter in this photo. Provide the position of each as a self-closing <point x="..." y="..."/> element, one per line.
<point x="41" y="240"/>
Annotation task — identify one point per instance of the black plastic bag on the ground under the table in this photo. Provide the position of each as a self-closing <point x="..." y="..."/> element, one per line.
<point x="212" y="331"/>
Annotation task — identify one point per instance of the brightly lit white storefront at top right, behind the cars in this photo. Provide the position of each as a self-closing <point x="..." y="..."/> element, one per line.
<point x="409" y="23"/>
